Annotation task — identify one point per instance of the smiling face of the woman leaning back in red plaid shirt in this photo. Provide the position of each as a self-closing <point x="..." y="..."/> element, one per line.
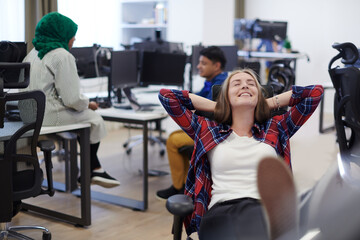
<point x="243" y="90"/>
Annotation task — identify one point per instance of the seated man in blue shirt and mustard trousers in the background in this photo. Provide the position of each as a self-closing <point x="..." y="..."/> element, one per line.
<point x="211" y="66"/>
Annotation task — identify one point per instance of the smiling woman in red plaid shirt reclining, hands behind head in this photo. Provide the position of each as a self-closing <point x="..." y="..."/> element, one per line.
<point x="222" y="177"/>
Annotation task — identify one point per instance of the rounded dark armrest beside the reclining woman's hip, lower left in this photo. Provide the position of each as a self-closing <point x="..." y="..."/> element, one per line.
<point x="180" y="205"/>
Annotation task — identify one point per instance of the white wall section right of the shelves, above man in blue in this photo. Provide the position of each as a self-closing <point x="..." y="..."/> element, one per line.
<point x="207" y="21"/>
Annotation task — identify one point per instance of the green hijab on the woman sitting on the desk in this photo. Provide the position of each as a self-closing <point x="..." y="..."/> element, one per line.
<point x="53" y="31"/>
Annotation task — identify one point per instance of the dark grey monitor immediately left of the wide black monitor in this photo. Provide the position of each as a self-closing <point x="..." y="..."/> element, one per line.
<point x="124" y="67"/>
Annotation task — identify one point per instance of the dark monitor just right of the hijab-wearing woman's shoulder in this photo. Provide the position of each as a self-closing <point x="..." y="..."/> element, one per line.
<point x="85" y="60"/>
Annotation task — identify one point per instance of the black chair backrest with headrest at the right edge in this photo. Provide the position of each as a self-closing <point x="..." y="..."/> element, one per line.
<point x="346" y="81"/>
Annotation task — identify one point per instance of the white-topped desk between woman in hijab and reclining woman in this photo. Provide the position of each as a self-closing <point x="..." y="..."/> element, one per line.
<point x="143" y="118"/>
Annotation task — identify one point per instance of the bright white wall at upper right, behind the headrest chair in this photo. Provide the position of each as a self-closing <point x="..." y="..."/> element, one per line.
<point x="313" y="26"/>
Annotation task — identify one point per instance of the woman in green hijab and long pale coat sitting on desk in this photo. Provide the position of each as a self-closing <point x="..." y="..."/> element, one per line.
<point x="53" y="70"/>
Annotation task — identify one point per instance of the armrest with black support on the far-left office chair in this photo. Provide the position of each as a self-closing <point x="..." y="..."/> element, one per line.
<point x="47" y="146"/>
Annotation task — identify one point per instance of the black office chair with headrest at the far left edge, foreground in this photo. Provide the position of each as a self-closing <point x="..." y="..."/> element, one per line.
<point x="21" y="176"/>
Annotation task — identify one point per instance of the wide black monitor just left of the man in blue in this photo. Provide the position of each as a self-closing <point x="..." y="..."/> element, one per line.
<point x="162" y="69"/>
